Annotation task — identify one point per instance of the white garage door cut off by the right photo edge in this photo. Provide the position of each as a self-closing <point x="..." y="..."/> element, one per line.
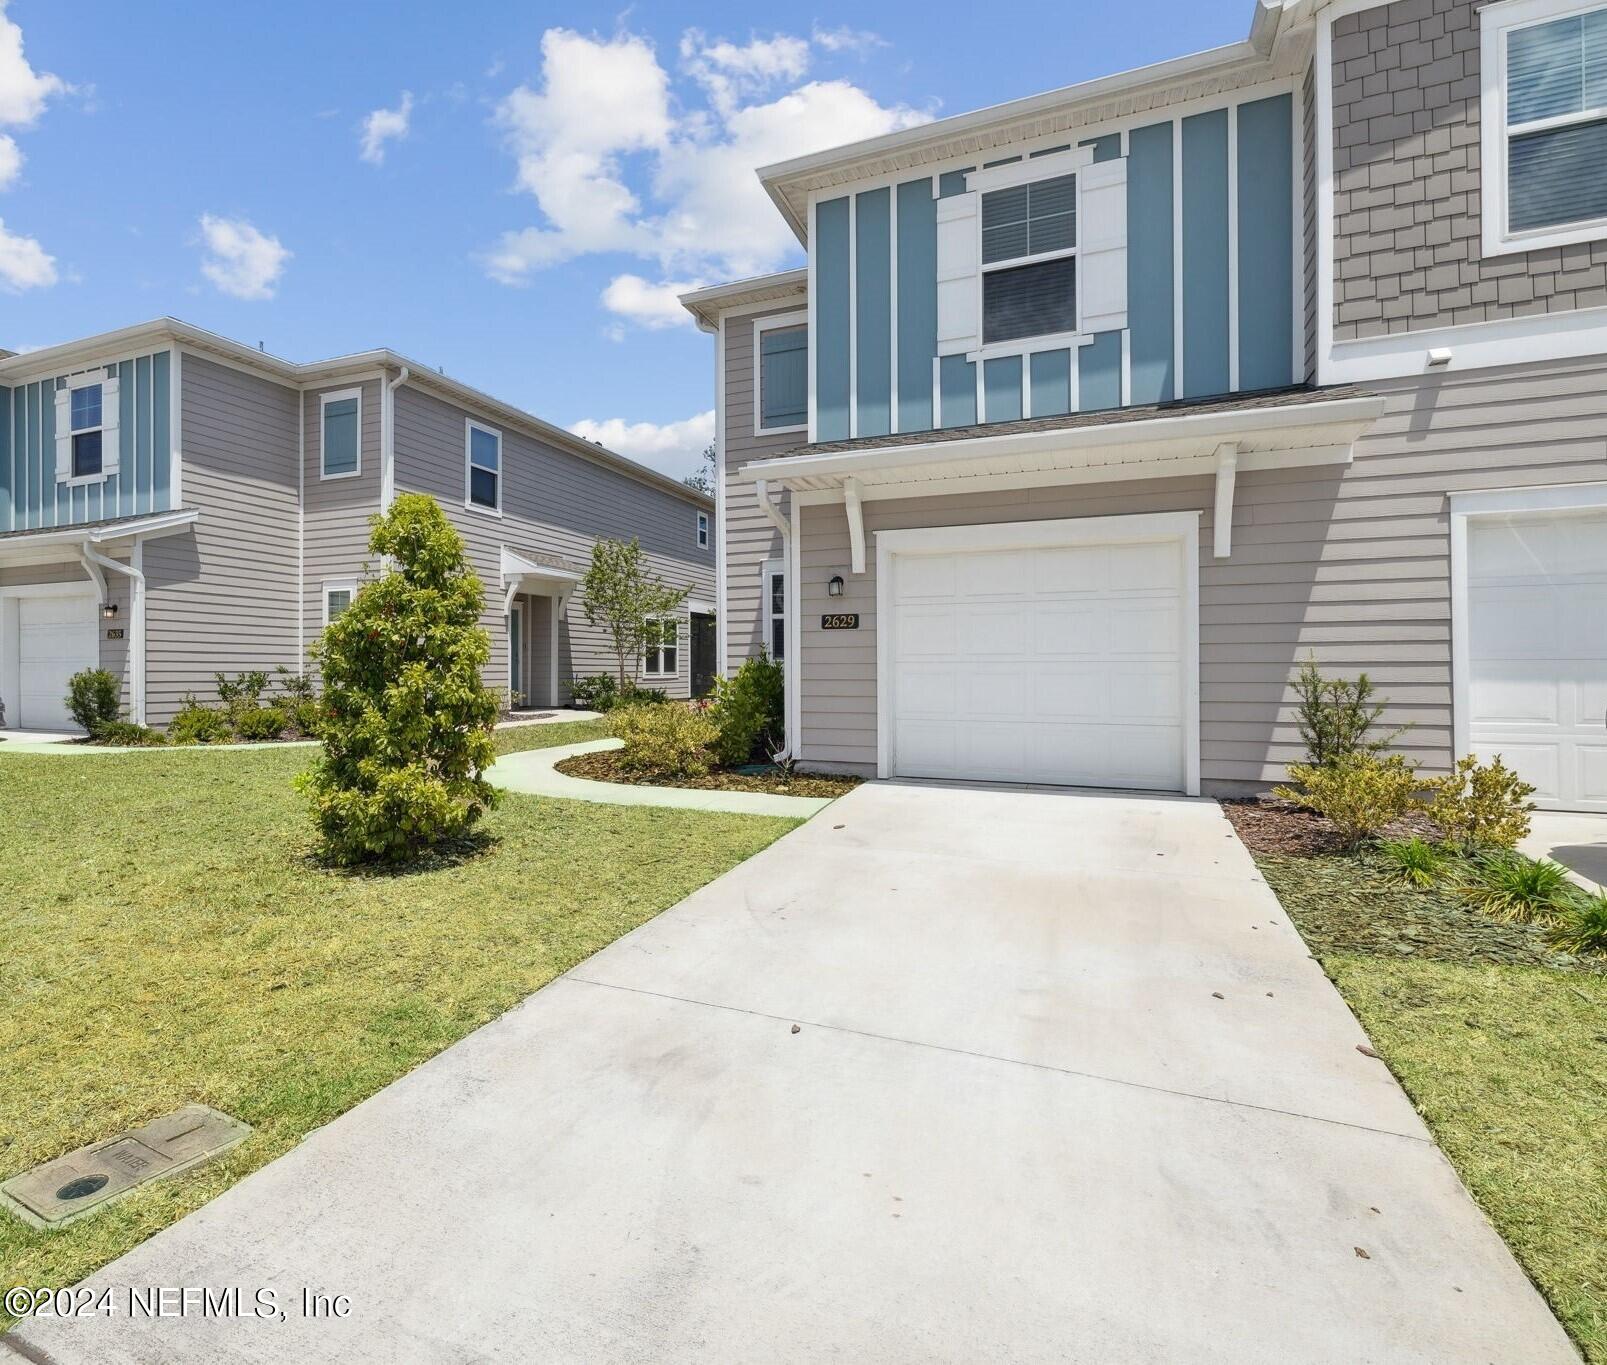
<point x="1537" y="596"/>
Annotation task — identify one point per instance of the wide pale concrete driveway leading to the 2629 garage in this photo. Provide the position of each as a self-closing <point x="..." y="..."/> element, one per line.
<point x="947" y="1075"/>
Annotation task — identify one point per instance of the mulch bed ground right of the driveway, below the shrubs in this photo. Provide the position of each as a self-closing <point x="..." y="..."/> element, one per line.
<point x="1354" y="904"/>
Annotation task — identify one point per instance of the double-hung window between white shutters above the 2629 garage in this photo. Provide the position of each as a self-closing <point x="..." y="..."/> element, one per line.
<point x="1029" y="260"/>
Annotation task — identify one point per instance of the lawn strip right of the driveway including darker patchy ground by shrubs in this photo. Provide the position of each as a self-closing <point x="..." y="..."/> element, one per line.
<point x="1505" y="1059"/>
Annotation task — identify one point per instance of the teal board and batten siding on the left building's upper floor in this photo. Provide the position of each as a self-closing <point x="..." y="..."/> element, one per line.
<point x="30" y="494"/>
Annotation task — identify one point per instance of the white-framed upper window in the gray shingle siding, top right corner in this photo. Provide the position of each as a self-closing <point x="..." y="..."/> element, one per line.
<point x="1556" y="123"/>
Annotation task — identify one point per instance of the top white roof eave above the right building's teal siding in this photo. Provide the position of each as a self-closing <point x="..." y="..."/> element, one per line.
<point x="1274" y="49"/>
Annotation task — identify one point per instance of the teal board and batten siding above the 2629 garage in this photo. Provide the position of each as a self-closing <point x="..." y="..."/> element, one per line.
<point x="1232" y="226"/>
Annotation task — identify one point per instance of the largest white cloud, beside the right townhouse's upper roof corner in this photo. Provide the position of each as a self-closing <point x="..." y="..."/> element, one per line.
<point x="600" y="136"/>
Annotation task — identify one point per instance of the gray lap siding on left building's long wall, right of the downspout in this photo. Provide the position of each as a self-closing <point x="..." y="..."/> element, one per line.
<point x="555" y="504"/>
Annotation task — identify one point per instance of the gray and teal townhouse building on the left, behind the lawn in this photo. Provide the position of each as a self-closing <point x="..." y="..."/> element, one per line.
<point x="174" y="504"/>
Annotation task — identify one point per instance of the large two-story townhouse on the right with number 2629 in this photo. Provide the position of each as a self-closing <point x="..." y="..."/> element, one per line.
<point x="1095" y="414"/>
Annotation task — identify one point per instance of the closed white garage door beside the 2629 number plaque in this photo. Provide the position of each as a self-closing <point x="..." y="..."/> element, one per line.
<point x="1044" y="665"/>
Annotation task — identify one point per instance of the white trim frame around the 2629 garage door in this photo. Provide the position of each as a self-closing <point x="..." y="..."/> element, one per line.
<point x="1182" y="527"/>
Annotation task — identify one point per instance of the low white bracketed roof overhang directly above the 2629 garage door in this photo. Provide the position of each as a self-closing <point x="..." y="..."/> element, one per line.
<point x="1267" y="438"/>
